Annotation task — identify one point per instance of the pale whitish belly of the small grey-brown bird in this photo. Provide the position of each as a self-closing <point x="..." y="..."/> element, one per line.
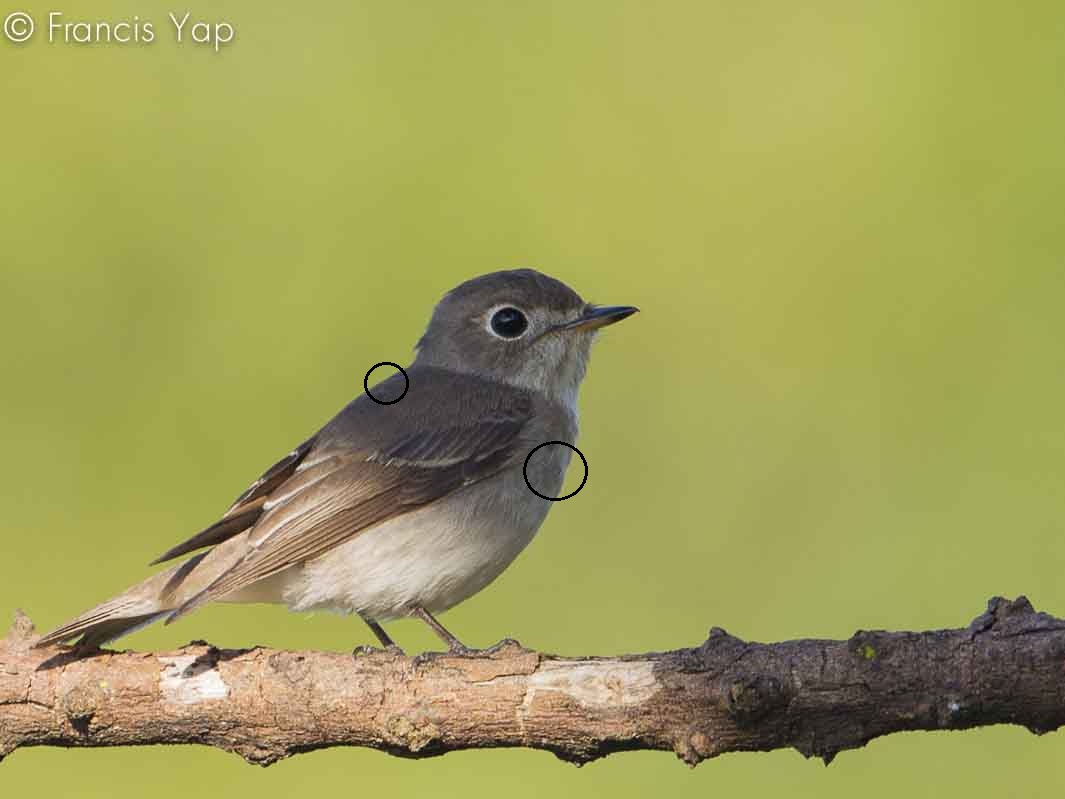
<point x="434" y="558"/>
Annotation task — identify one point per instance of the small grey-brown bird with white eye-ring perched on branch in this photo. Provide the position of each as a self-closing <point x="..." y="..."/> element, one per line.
<point x="417" y="495"/>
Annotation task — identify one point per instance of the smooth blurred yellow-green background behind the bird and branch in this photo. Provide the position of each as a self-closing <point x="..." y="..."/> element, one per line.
<point x="841" y="409"/>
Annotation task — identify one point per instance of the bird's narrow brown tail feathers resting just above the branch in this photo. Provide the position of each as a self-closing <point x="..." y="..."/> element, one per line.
<point x="152" y="600"/>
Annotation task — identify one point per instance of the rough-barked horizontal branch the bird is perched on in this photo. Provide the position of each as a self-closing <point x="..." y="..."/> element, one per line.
<point x="820" y="697"/>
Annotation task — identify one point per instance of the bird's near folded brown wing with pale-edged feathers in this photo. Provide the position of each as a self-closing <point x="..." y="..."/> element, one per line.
<point x="334" y="495"/>
